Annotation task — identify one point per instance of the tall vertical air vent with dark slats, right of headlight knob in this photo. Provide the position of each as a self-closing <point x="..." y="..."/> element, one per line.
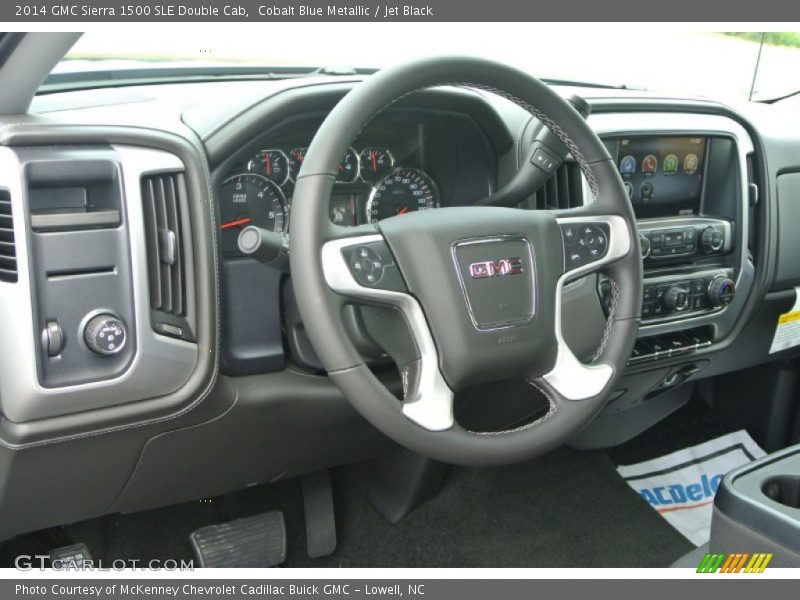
<point x="162" y="197"/>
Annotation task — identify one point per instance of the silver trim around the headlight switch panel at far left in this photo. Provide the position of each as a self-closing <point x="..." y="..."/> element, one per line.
<point x="161" y="364"/>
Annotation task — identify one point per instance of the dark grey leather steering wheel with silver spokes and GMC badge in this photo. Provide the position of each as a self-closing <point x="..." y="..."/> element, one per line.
<point x="479" y="288"/>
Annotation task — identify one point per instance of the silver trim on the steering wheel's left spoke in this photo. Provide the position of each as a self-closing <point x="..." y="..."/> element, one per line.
<point x="430" y="405"/>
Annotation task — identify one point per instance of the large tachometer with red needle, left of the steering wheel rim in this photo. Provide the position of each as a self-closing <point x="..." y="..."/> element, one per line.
<point x="249" y="199"/>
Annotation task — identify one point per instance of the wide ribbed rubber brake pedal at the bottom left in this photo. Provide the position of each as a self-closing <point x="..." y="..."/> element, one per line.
<point x="258" y="541"/>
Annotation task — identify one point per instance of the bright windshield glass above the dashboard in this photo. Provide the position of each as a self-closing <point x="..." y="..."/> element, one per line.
<point x="718" y="65"/>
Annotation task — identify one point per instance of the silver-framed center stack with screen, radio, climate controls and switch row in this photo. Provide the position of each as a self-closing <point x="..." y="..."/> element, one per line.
<point x="686" y="177"/>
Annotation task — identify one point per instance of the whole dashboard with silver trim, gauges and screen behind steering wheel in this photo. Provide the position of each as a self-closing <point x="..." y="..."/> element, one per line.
<point x="219" y="353"/>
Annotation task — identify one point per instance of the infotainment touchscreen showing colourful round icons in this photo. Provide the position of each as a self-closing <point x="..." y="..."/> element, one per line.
<point x="663" y="175"/>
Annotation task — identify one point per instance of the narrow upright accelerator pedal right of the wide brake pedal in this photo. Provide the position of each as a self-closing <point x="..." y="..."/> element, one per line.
<point x="320" y="520"/>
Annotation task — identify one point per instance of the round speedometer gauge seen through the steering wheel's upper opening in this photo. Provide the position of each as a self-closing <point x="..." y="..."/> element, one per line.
<point x="402" y="192"/>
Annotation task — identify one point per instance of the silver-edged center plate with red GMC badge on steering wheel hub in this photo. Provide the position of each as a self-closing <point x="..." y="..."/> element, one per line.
<point x="497" y="279"/>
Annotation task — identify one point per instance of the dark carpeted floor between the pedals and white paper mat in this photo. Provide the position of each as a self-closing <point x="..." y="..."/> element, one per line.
<point x="566" y="509"/>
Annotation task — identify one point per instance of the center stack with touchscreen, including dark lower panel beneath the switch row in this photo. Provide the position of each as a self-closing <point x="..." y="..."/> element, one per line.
<point x="690" y="188"/>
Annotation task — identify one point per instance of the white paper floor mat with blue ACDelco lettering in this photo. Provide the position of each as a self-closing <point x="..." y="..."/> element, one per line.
<point x="681" y="485"/>
